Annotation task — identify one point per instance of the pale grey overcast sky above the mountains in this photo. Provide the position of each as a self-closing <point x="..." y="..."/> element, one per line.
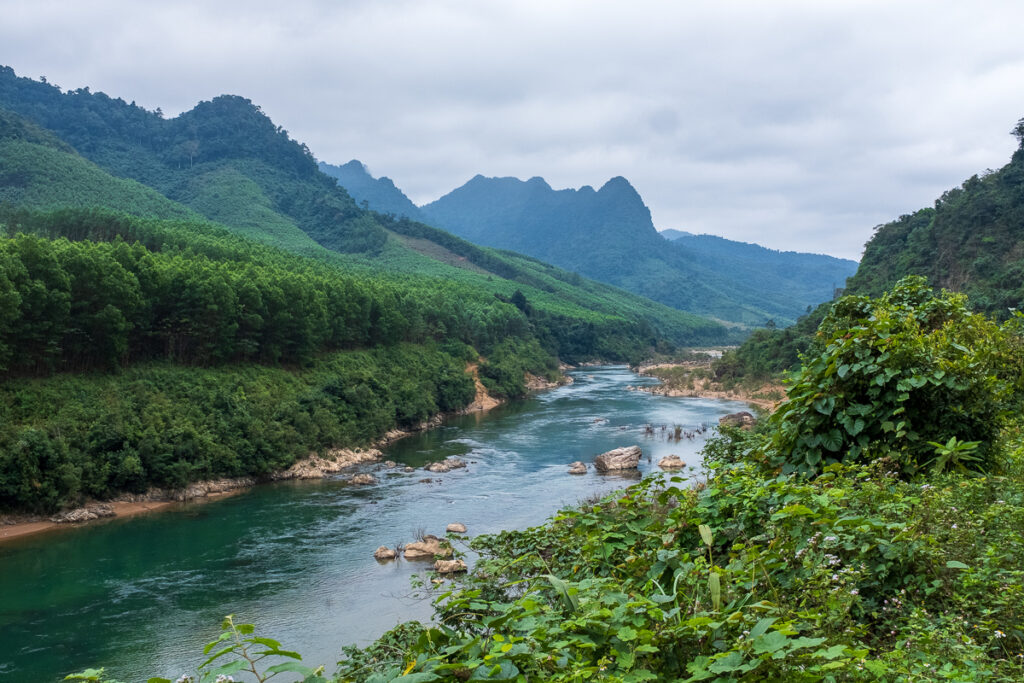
<point x="798" y="125"/>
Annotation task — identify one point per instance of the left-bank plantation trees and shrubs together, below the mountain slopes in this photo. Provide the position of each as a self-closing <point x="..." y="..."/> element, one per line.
<point x="141" y="353"/>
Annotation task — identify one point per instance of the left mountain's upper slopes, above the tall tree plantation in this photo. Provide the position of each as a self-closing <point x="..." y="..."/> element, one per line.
<point x="225" y="161"/>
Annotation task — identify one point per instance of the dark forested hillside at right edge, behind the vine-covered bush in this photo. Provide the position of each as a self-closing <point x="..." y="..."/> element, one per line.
<point x="971" y="241"/>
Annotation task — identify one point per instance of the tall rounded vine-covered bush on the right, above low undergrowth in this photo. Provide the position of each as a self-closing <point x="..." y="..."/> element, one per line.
<point x="895" y="374"/>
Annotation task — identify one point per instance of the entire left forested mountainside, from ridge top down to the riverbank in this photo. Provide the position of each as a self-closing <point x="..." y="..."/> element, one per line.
<point x="199" y="301"/>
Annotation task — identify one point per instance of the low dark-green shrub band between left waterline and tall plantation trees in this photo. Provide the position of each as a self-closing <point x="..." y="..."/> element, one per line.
<point x="161" y="425"/>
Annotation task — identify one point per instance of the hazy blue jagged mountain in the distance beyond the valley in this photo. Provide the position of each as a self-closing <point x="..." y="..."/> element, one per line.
<point x="609" y="235"/>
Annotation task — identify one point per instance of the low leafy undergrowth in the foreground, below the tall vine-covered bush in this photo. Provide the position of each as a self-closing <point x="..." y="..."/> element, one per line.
<point x="852" y="576"/>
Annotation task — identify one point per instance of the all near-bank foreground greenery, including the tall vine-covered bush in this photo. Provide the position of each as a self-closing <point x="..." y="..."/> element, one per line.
<point x="897" y="561"/>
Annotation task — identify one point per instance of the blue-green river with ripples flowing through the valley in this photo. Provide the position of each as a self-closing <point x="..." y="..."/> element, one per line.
<point x="142" y="596"/>
